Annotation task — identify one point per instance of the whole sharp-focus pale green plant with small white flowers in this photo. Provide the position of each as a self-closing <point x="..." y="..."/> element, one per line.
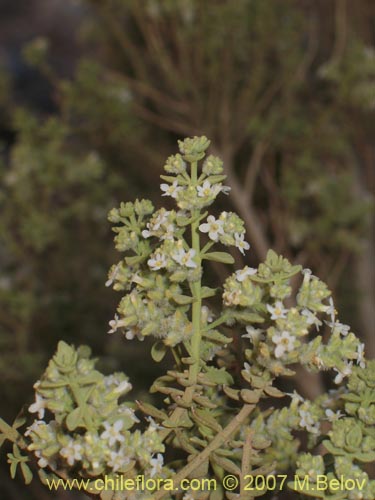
<point x="215" y="419"/>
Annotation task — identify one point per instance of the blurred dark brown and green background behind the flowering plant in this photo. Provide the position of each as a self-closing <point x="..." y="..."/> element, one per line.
<point x="93" y="97"/>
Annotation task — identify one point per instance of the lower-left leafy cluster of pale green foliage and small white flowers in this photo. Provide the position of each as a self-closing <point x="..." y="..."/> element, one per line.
<point x="102" y="444"/>
